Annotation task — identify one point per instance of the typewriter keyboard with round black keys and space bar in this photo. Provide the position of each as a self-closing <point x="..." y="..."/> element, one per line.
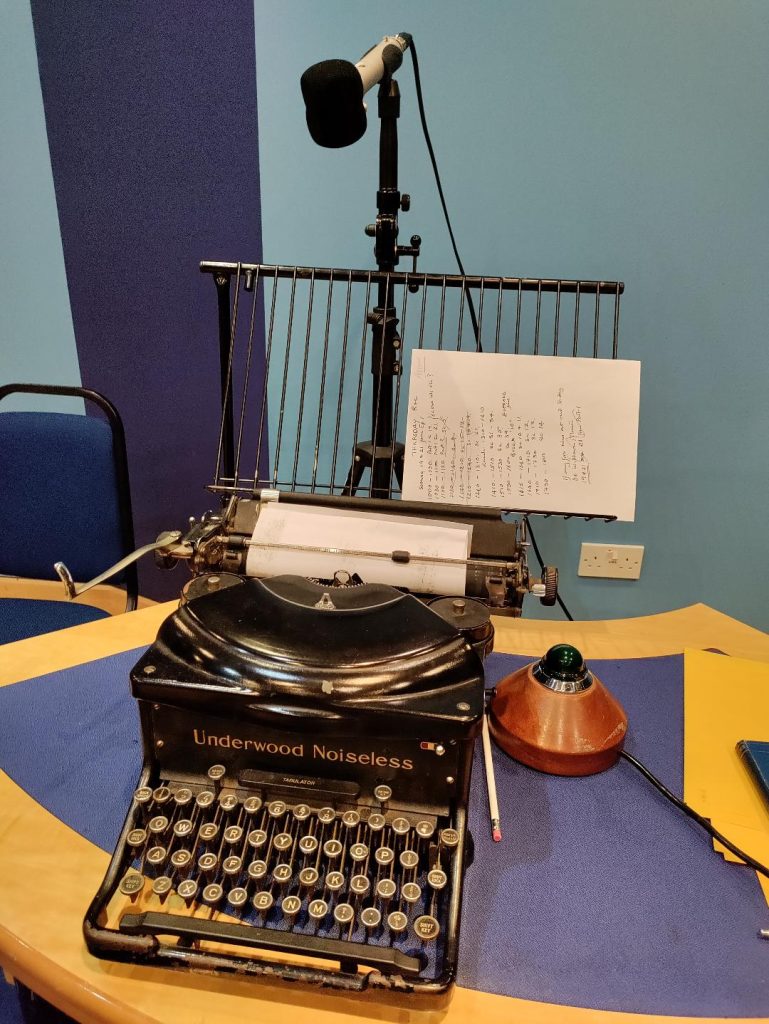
<point x="365" y="885"/>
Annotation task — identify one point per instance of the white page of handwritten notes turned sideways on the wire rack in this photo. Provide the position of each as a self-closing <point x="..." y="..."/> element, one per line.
<point x="536" y="433"/>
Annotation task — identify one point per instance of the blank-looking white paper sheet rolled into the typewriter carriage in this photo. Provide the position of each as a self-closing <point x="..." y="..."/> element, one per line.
<point x="280" y="526"/>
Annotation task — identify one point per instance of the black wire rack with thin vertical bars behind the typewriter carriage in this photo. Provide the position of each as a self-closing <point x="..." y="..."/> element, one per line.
<point x="302" y="352"/>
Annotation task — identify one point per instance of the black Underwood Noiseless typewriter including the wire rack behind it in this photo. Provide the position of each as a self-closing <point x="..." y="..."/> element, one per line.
<point x="308" y="739"/>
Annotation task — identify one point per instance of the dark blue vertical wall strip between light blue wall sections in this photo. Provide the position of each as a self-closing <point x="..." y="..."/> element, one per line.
<point x="152" y="119"/>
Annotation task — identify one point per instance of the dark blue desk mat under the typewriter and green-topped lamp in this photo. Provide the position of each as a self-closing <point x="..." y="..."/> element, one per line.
<point x="602" y="894"/>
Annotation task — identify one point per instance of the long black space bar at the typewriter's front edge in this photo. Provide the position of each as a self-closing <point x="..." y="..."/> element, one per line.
<point x="383" y="958"/>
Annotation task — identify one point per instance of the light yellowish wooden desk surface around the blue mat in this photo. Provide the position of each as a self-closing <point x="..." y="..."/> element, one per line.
<point x="49" y="873"/>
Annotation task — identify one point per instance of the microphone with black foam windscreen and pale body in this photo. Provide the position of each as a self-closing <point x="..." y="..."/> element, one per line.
<point x="334" y="91"/>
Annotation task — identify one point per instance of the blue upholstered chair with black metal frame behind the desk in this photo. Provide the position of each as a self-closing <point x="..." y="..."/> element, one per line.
<point x="64" y="497"/>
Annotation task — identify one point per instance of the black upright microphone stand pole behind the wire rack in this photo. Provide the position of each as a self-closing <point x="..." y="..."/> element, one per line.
<point x="383" y="455"/>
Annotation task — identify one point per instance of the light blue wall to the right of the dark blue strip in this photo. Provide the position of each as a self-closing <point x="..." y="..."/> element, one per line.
<point x="595" y="140"/>
